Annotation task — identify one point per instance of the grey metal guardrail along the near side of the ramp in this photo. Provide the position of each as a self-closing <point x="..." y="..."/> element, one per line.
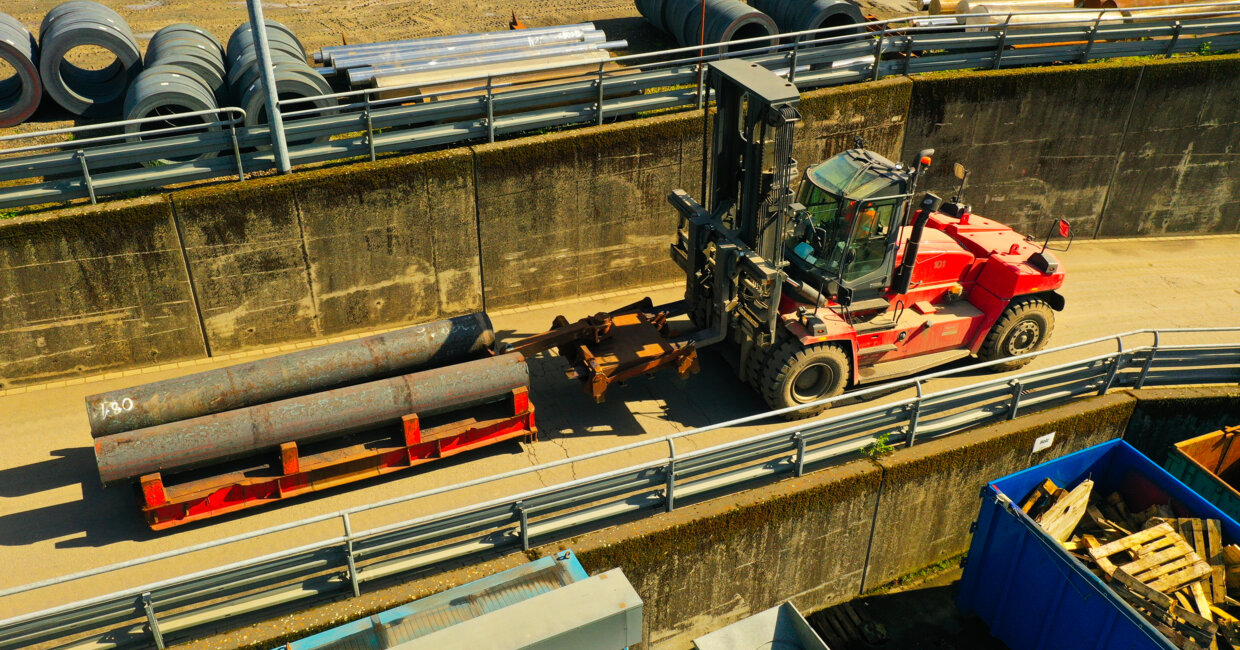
<point x="342" y="564"/>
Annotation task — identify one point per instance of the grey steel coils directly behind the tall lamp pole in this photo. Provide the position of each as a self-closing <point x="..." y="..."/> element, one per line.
<point x="294" y="78"/>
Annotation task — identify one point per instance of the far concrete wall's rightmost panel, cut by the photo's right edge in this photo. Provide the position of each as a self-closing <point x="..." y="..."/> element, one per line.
<point x="1176" y="171"/>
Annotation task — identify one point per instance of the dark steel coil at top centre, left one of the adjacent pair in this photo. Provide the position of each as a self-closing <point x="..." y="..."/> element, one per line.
<point x="725" y="20"/>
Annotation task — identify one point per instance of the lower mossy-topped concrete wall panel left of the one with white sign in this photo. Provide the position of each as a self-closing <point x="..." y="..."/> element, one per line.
<point x="705" y="566"/>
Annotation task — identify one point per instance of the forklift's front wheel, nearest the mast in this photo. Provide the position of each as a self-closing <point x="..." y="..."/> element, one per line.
<point x="798" y="375"/>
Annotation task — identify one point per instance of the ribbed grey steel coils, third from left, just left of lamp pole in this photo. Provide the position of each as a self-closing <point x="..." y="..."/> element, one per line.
<point x="184" y="74"/>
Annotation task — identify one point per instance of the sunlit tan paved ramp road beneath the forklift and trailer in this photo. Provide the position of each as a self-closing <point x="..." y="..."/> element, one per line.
<point x="55" y="518"/>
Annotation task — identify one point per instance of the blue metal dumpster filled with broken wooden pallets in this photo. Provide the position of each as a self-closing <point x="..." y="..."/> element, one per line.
<point x="1035" y="595"/>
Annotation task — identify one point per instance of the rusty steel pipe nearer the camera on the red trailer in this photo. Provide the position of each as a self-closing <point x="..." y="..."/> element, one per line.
<point x="232" y="435"/>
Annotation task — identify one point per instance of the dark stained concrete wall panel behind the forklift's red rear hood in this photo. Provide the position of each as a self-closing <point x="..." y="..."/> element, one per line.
<point x="1041" y="143"/>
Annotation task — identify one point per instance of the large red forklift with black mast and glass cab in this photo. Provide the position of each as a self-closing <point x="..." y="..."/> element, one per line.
<point x="850" y="278"/>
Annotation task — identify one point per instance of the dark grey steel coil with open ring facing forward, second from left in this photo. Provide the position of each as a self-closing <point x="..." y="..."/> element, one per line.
<point x="80" y="91"/>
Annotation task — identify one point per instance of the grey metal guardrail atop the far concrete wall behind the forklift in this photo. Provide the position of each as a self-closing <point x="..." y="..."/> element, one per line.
<point x="373" y="123"/>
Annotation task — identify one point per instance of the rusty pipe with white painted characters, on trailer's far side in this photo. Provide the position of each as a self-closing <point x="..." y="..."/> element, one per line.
<point x="296" y="374"/>
